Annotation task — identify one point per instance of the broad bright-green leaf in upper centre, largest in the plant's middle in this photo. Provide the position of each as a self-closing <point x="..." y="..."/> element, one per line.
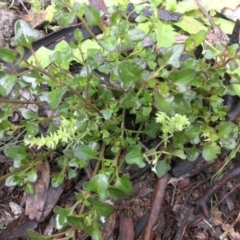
<point x="130" y="72"/>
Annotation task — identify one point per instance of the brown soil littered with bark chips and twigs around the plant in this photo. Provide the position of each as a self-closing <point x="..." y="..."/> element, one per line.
<point x="182" y="214"/>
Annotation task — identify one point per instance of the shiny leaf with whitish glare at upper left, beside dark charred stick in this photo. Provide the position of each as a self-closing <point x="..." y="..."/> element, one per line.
<point x="24" y="34"/>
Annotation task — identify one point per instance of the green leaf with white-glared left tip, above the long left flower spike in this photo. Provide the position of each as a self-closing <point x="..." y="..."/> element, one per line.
<point x="53" y="98"/>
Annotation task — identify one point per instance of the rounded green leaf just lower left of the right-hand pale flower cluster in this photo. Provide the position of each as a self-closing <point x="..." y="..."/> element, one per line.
<point x="135" y="156"/>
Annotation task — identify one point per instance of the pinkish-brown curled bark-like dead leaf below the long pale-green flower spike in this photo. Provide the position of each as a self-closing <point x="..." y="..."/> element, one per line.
<point x="35" y="203"/>
